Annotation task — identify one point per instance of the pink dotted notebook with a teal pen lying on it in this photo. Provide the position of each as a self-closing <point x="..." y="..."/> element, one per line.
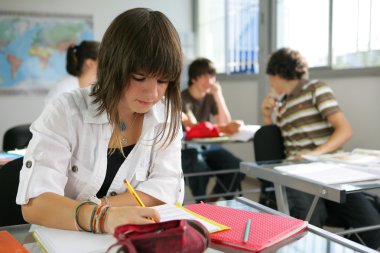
<point x="265" y="230"/>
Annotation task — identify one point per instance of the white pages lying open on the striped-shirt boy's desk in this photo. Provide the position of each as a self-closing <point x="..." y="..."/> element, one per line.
<point x="327" y="173"/>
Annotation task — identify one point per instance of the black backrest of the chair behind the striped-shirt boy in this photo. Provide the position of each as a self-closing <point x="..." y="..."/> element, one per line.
<point x="268" y="144"/>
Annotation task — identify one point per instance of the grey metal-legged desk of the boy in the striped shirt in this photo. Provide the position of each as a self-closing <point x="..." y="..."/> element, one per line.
<point x="336" y="192"/>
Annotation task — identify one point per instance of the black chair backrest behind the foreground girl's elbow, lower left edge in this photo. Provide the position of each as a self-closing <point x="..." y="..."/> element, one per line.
<point x="10" y="212"/>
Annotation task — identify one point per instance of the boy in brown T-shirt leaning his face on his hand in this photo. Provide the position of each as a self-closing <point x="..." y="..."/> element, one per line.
<point x="202" y="100"/>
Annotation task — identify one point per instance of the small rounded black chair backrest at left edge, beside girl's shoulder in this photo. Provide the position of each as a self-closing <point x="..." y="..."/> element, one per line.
<point x="17" y="137"/>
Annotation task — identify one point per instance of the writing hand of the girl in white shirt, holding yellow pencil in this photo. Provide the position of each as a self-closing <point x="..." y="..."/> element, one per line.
<point x="117" y="216"/>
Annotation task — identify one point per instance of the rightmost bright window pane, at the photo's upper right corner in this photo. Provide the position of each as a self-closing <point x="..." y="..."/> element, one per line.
<point x="356" y="33"/>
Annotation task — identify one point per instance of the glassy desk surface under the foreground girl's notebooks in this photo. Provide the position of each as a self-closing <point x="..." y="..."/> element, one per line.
<point x="314" y="240"/>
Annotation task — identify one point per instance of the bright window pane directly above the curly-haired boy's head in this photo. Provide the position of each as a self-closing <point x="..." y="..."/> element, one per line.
<point x="304" y="25"/>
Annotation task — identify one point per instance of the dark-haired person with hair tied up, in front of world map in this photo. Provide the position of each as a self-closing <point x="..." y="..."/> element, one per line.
<point x="81" y="64"/>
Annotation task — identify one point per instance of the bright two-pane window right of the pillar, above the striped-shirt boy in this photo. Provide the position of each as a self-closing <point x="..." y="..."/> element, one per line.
<point x="355" y="38"/>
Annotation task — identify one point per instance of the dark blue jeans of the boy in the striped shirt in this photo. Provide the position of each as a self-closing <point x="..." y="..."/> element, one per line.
<point x="356" y="212"/>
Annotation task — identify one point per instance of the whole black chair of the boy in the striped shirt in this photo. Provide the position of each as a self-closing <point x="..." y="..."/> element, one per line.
<point x="268" y="145"/>
